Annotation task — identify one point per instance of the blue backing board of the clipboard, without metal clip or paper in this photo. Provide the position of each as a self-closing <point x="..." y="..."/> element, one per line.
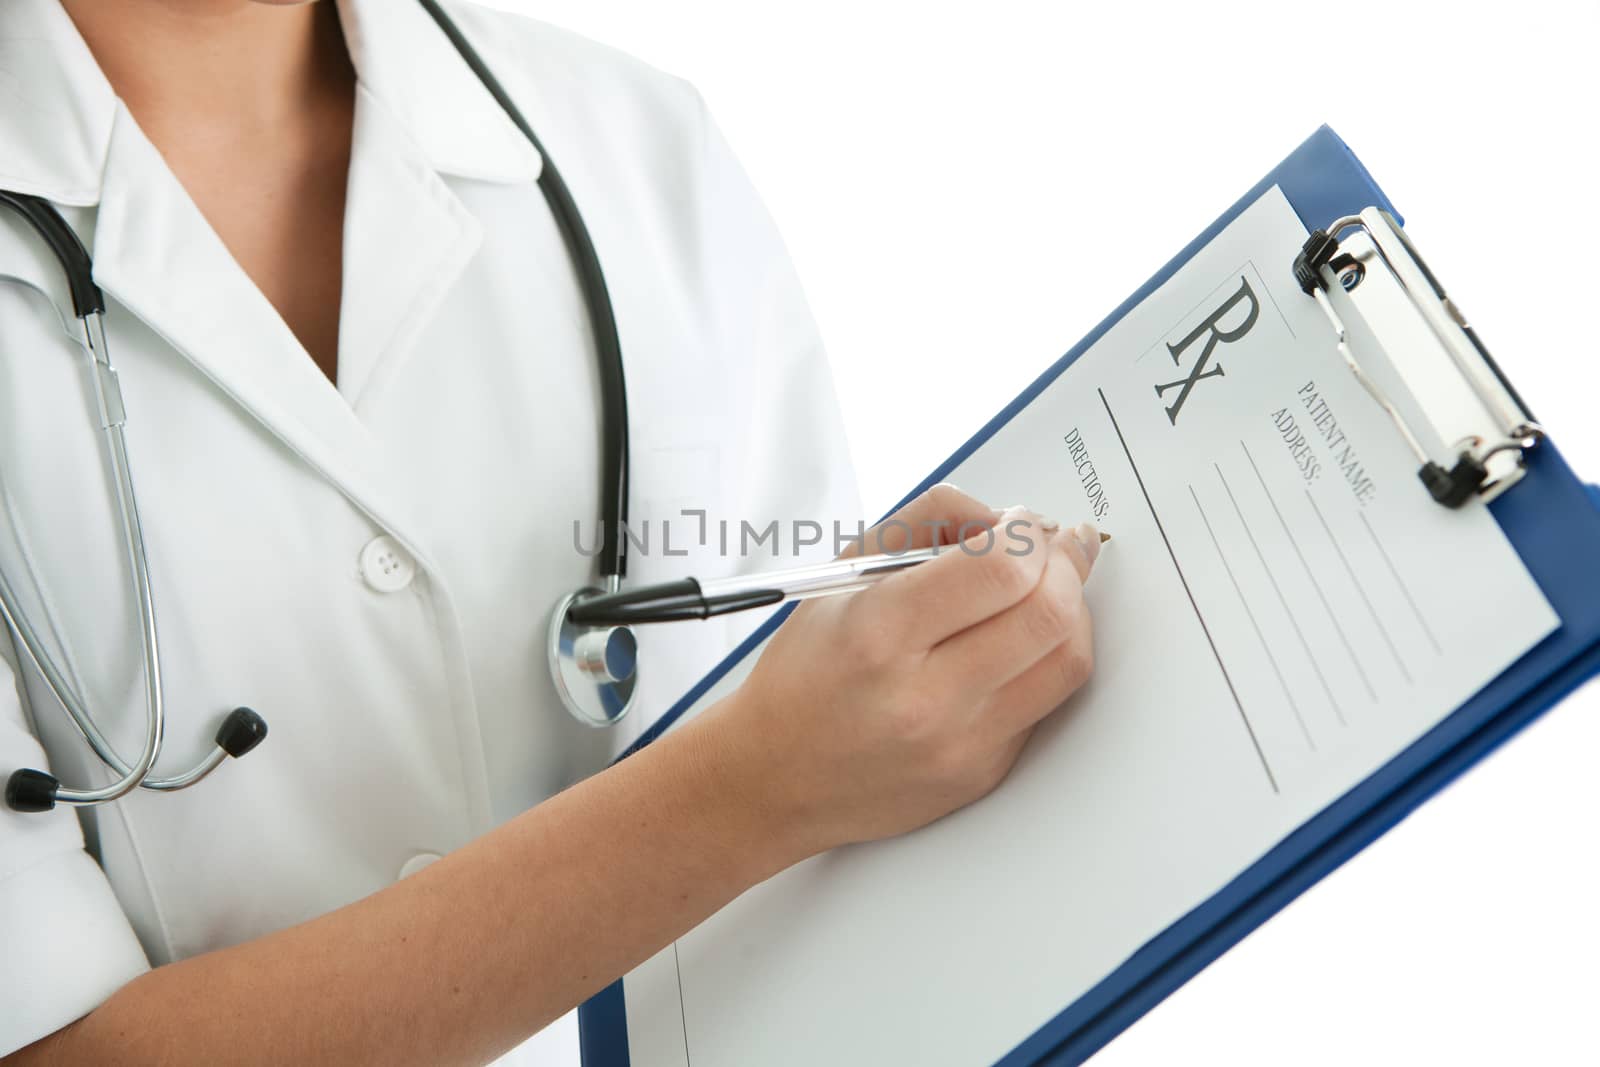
<point x="1550" y="518"/>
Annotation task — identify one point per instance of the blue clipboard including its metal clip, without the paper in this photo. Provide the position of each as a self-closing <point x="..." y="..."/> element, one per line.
<point x="1476" y="446"/>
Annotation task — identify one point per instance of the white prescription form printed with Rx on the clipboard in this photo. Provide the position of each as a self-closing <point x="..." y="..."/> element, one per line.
<point x="1281" y="612"/>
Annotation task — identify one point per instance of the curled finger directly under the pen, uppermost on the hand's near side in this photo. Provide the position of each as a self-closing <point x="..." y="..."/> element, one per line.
<point x="991" y="572"/>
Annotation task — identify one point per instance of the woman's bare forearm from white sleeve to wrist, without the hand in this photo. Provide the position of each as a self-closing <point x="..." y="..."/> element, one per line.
<point x="471" y="956"/>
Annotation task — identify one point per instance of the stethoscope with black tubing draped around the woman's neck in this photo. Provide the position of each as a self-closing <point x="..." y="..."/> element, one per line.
<point x="593" y="663"/>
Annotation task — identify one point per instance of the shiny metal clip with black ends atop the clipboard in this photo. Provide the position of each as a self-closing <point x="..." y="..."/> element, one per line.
<point x="1473" y="410"/>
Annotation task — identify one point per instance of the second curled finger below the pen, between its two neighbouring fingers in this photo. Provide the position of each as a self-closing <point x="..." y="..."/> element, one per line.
<point x="985" y="658"/>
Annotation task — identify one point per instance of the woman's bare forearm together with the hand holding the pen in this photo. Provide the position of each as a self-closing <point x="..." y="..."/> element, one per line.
<point x="868" y="716"/>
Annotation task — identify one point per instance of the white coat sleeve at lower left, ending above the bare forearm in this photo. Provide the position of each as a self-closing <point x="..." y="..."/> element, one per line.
<point x="65" y="941"/>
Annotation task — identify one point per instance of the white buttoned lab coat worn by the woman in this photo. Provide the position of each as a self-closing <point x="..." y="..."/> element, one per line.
<point x="407" y="714"/>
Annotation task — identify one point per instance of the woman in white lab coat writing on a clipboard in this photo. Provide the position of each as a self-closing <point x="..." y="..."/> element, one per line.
<point x="364" y="417"/>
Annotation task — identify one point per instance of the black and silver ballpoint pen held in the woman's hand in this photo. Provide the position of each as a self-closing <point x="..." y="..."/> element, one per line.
<point x="695" y="599"/>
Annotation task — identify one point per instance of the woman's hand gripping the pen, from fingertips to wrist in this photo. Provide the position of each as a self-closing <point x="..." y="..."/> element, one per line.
<point x="874" y="714"/>
